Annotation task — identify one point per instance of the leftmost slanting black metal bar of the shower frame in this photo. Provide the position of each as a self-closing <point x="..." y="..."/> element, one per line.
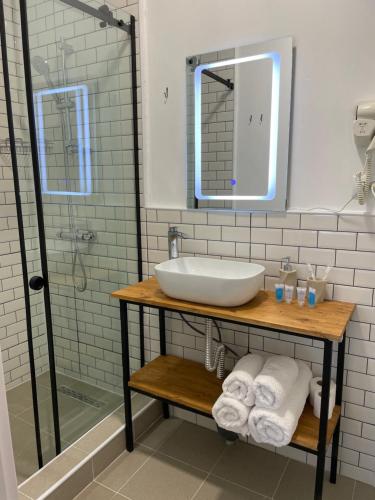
<point x="17" y="191"/>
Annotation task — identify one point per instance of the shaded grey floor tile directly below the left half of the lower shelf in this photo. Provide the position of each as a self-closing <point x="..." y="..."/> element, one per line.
<point x="194" y="445"/>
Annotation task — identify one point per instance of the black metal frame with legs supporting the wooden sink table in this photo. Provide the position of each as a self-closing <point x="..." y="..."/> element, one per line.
<point x="327" y="363"/>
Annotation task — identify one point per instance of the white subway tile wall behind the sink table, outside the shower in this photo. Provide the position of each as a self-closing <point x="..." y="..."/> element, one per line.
<point x="321" y="240"/>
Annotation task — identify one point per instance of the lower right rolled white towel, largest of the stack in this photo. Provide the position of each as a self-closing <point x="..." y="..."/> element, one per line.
<point x="276" y="427"/>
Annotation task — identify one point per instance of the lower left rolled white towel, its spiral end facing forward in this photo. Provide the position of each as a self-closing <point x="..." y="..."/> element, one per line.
<point x="231" y="414"/>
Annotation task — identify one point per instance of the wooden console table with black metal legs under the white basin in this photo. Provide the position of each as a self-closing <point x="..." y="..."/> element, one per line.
<point x="188" y="385"/>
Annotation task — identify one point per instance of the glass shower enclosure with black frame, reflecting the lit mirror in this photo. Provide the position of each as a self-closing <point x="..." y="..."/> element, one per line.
<point x="80" y="212"/>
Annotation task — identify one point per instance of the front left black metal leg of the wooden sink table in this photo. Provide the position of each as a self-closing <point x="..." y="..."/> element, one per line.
<point x="129" y="440"/>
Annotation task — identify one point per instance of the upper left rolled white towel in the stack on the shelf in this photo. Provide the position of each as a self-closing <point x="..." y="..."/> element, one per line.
<point x="239" y="384"/>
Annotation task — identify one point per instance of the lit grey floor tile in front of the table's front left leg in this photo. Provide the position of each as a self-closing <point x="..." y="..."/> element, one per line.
<point x="162" y="478"/>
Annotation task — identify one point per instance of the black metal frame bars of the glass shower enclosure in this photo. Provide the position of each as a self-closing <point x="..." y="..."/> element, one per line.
<point x="130" y="29"/>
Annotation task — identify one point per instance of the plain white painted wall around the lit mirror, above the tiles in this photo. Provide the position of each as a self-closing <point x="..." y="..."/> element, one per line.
<point x="333" y="71"/>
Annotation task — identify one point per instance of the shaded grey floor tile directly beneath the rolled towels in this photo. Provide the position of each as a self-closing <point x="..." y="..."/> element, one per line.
<point x="251" y="467"/>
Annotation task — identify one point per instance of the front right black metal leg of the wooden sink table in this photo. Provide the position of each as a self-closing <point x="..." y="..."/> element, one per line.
<point x="319" y="478"/>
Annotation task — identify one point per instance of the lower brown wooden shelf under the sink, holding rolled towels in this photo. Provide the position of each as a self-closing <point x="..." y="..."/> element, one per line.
<point x="188" y="384"/>
